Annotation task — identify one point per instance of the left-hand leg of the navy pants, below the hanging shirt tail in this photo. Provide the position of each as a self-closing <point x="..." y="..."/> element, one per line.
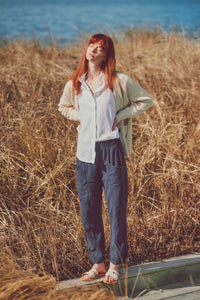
<point x="89" y="186"/>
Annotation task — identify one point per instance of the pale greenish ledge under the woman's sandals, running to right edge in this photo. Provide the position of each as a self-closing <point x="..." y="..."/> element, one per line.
<point x="138" y="278"/>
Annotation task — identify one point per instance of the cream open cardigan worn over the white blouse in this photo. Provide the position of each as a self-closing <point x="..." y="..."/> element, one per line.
<point x="131" y="100"/>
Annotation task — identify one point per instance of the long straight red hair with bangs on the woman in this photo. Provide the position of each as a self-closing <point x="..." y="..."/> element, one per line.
<point x="108" y="67"/>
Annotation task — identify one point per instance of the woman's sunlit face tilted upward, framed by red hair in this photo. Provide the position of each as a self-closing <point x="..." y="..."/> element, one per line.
<point x="95" y="54"/>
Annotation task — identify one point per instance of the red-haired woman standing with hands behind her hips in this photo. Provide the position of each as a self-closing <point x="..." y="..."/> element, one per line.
<point x="104" y="102"/>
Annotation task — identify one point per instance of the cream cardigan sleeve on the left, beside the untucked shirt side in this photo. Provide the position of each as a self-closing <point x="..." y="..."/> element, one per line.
<point x="66" y="103"/>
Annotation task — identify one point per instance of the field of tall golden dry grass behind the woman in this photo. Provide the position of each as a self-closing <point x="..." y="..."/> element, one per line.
<point x="40" y="223"/>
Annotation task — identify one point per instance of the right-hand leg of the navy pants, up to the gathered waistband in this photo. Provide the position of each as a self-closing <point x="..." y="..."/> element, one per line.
<point x="115" y="182"/>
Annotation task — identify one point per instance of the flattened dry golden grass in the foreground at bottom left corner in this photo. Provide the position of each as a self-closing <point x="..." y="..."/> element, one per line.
<point x="21" y="285"/>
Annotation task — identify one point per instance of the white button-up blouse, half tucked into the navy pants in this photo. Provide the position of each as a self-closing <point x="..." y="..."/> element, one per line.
<point x="97" y="115"/>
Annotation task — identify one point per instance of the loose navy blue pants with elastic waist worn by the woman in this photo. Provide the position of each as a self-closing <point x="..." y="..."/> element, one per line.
<point x="109" y="172"/>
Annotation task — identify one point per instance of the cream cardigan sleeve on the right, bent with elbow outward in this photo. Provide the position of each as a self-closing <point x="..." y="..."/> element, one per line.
<point x="139" y="101"/>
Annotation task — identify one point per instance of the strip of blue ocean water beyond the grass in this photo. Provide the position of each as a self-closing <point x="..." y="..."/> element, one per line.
<point x="66" y="20"/>
